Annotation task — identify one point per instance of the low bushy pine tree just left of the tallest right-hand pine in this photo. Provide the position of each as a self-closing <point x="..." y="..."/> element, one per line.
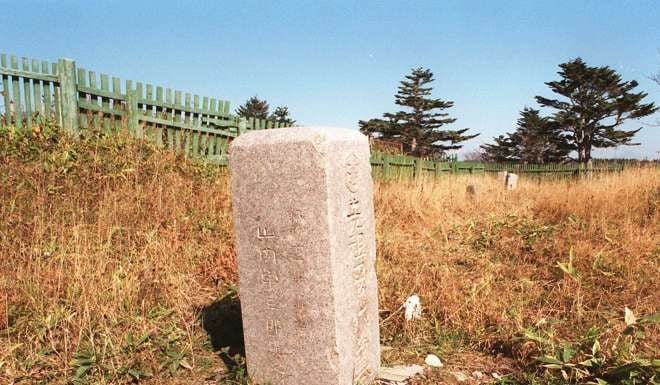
<point x="536" y="139"/>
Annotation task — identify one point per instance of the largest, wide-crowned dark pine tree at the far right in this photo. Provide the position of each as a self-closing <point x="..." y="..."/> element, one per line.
<point x="594" y="105"/>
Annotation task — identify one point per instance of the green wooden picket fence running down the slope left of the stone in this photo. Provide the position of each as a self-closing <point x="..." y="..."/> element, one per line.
<point x="79" y="100"/>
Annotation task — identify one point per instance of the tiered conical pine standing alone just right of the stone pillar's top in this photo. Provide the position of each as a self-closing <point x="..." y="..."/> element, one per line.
<point x="420" y="127"/>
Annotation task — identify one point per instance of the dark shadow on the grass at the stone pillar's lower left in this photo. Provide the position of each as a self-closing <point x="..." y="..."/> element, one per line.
<point x="223" y="323"/>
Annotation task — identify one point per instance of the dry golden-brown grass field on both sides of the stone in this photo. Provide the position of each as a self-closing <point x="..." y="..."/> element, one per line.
<point x="118" y="257"/>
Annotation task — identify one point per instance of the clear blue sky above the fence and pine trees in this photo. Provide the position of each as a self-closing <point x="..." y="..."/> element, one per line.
<point x="335" y="62"/>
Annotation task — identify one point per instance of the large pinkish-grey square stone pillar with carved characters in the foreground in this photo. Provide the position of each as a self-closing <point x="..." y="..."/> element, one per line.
<point x="303" y="215"/>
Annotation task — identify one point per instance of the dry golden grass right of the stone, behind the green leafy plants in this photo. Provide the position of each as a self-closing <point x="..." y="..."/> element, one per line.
<point x="487" y="268"/>
